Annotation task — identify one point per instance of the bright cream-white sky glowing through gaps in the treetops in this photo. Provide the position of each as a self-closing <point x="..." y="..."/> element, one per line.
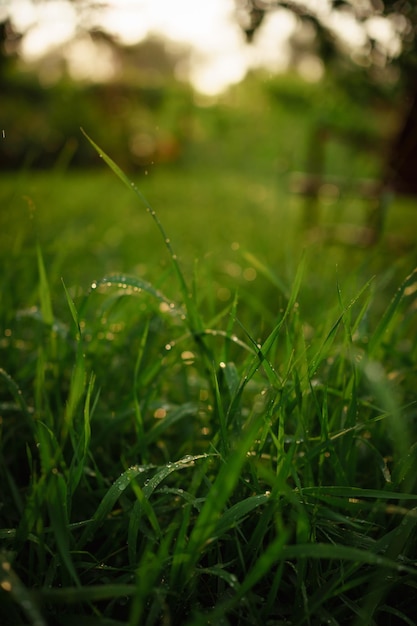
<point x="219" y="55"/>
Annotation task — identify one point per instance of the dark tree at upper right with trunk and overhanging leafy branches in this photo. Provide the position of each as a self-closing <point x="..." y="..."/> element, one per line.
<point x="401" y="166"/>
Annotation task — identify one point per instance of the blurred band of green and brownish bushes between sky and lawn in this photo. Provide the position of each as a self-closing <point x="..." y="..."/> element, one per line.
<point x="144" y="123"/>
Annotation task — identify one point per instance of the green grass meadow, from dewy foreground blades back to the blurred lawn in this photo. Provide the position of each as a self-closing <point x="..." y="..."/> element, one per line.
<point x="207" y="406"/>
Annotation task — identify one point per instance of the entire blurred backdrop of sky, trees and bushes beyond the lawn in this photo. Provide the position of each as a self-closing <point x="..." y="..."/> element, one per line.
<point x="136" y="74"/>
